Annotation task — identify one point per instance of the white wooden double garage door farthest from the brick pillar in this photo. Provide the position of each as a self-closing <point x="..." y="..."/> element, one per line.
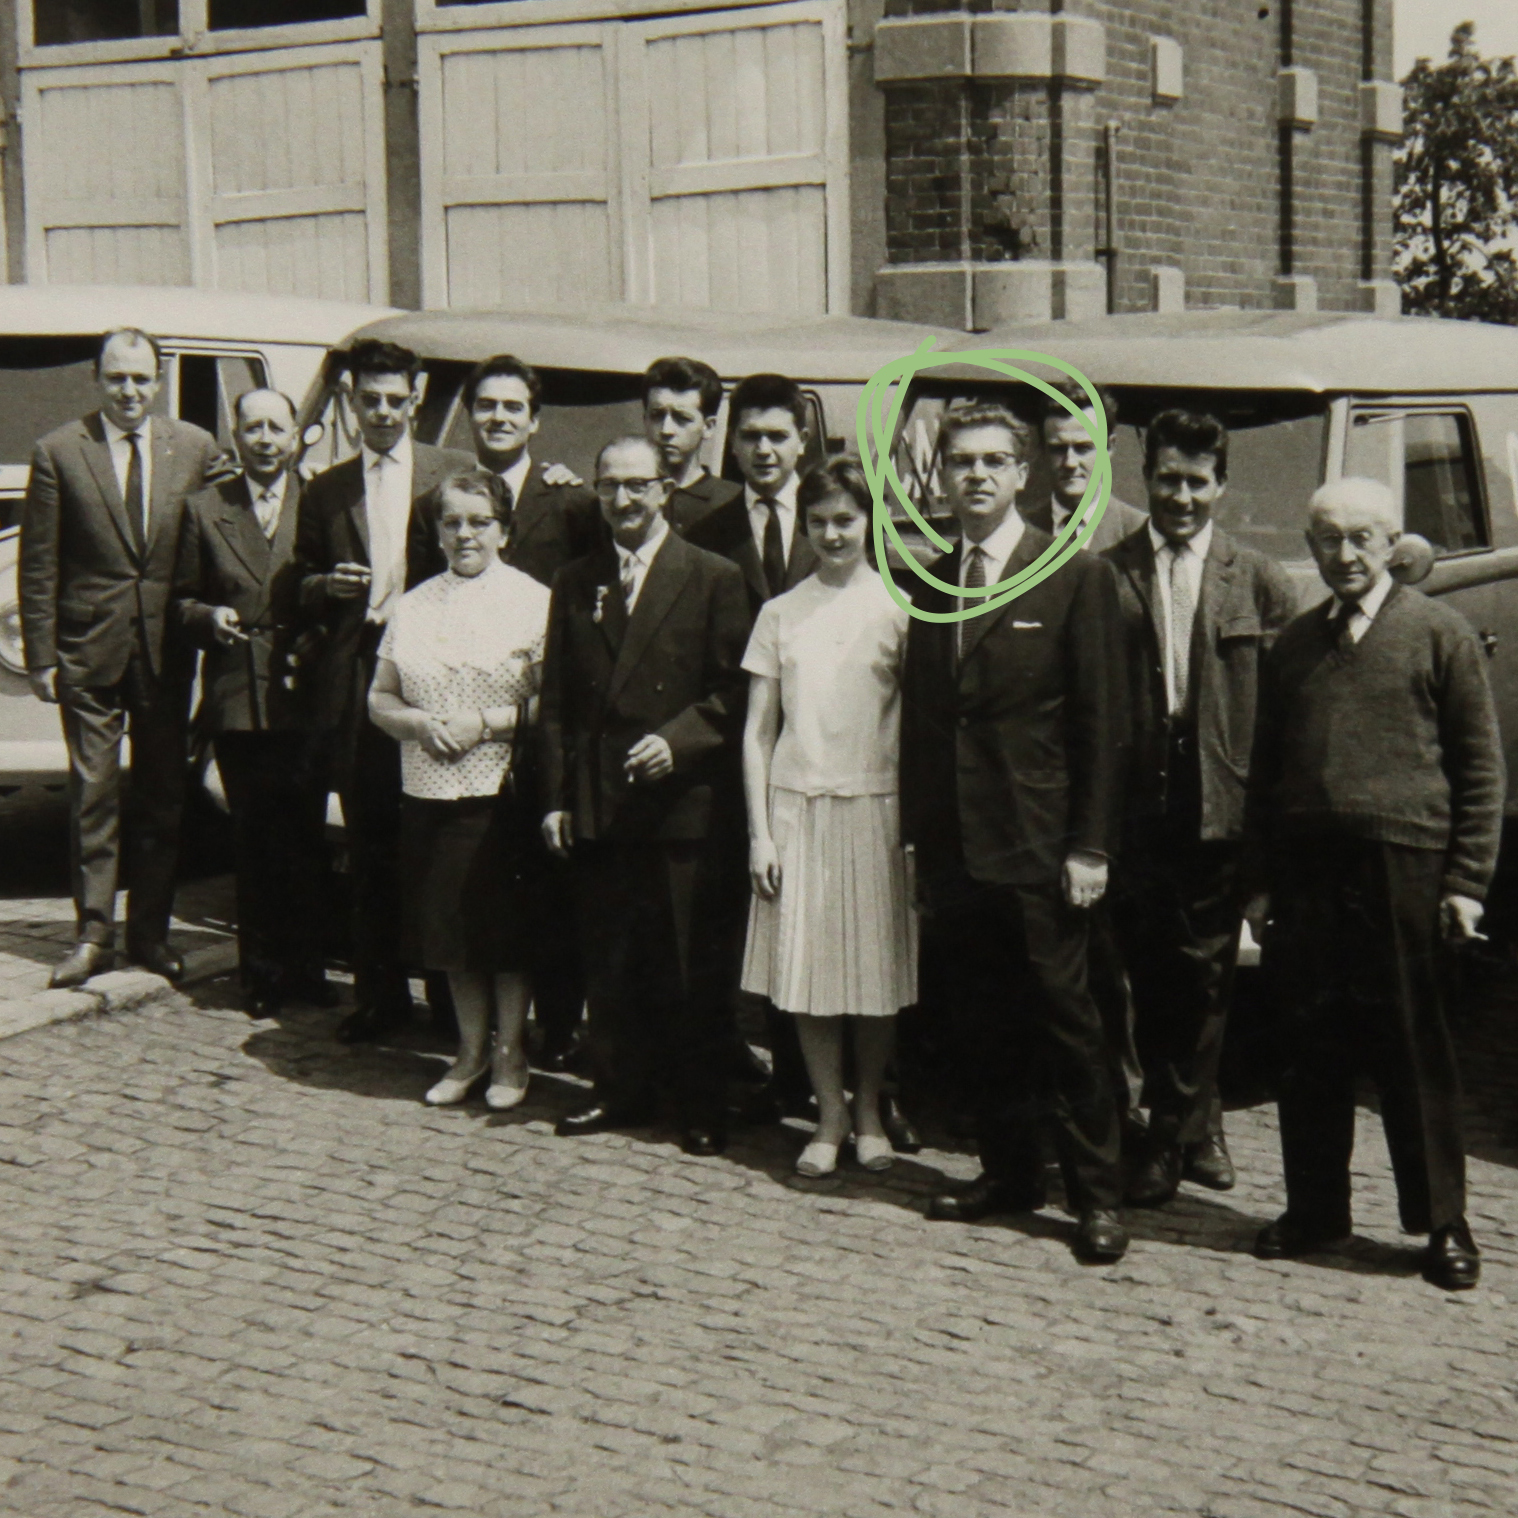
<point x="259" y="172"/>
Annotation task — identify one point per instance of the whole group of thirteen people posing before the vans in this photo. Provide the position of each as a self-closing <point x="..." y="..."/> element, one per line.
<point x="646" y="745"/>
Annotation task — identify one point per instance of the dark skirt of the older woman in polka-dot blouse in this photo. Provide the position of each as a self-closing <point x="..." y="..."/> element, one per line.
<point x="465" y="872"/>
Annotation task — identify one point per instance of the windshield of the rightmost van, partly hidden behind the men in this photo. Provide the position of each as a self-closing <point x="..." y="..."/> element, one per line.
<point x="1277" y="446"/>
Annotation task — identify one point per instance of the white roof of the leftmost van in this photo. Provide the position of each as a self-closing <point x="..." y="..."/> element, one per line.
<point x="177" y="312"/>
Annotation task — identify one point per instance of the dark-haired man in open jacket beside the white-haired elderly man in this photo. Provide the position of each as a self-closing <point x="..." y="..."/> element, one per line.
<point x="1200" y="613"/>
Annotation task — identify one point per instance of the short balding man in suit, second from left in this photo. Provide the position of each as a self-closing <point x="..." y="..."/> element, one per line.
<point x="238" y="596"/>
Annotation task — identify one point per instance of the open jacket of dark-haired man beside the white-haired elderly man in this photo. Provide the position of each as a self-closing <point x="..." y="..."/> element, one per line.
<point x="1246" y="602"/>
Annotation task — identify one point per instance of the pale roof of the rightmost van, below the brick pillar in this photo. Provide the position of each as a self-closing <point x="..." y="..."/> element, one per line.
<point x="1326" y="351"/>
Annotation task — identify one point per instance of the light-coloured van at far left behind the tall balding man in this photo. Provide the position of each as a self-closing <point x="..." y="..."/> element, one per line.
<point x="215" y="348"/>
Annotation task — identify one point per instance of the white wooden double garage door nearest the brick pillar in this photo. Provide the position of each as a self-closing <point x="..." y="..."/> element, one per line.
<point x="691" y="160"/>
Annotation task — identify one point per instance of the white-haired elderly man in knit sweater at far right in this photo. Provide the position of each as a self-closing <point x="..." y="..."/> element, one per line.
<point x="1376" y="808"/>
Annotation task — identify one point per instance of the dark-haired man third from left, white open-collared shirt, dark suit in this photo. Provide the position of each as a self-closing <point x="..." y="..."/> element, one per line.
<point x="357" y="553"/>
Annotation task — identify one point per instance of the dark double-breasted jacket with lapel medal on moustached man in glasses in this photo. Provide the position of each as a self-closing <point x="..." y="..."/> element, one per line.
<point x="675" y="669"/>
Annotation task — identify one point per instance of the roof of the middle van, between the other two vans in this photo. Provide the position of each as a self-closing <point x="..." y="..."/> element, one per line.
<point x="625" y="339"/>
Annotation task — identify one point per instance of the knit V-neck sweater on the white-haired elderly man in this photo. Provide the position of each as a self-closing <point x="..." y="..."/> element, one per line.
<point x="1393" y="739"/>
